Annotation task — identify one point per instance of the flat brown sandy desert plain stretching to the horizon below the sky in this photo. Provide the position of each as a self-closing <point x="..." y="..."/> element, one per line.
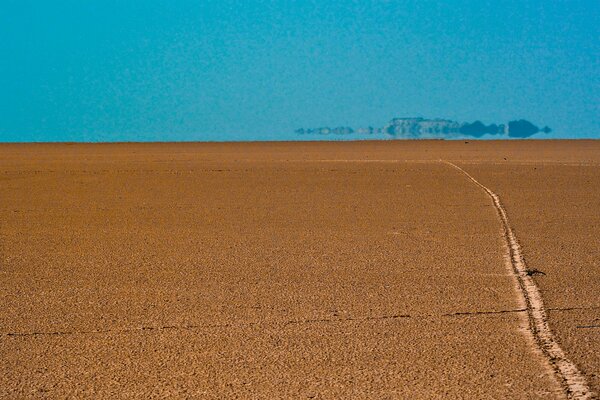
<point x="300" y="270"/>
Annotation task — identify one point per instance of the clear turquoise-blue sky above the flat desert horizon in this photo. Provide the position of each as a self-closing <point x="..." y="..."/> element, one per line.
<point x="257" y="70"/>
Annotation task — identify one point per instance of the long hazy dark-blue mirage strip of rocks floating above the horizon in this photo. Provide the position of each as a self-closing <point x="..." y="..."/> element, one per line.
<point x="418" y="127"/>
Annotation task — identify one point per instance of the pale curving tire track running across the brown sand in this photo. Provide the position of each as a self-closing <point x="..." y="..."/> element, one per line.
<point x="571" y="379"/>
